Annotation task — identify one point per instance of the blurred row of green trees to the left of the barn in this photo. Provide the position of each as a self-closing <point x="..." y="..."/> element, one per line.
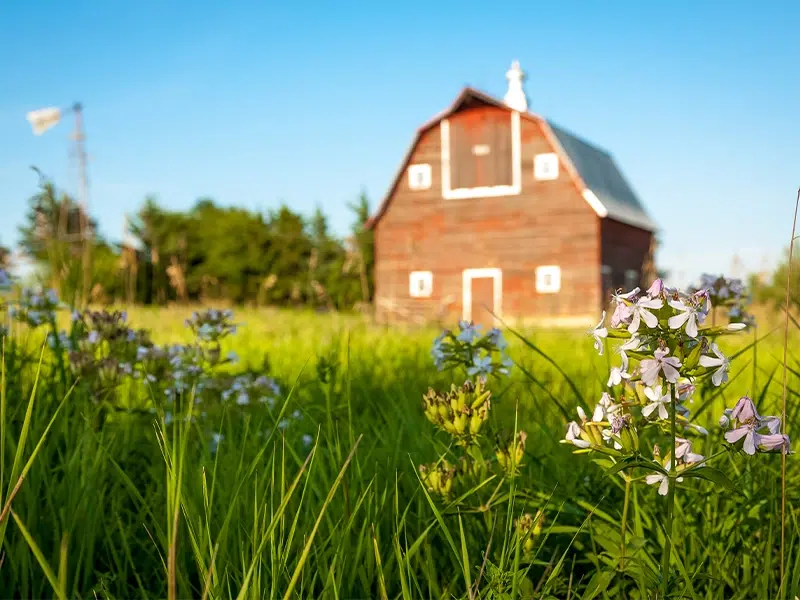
<point x="208" y="253"/>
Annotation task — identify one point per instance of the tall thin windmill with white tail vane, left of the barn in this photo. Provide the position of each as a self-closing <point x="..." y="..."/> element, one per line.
<point x="42" y="120"/>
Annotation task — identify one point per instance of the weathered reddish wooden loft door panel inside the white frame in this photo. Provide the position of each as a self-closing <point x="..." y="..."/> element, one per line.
<point x="480" y="150"/>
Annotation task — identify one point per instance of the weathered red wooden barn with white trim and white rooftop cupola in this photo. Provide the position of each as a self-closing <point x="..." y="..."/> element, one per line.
<point x="495" y="207"/>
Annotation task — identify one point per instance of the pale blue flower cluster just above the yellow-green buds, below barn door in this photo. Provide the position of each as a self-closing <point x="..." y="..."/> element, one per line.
<point x="478" y="354"/>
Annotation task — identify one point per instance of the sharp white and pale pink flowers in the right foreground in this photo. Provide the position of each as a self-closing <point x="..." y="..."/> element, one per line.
<point x="667" y="349"/>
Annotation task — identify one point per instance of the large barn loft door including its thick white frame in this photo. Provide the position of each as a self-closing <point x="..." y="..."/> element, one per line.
<point x="481" y="154"/>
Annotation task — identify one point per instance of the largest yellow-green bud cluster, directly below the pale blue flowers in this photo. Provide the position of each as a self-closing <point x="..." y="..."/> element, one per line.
<point x="461" y="412"/>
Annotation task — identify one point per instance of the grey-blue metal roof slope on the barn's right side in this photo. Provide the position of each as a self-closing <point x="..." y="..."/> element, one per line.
<point x="601" y="175"/>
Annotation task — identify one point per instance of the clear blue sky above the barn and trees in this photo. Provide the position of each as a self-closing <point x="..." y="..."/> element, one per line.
<point x="258" y="103"/>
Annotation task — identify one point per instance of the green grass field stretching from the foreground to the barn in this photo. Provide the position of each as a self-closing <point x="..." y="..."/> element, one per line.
<point x="319" y="495"/>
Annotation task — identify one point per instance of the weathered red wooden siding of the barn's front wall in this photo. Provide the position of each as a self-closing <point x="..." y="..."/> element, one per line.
<point x="549" y="223"/>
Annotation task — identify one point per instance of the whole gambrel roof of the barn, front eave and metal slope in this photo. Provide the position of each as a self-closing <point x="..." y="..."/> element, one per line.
<point x="592" y="169"/>
